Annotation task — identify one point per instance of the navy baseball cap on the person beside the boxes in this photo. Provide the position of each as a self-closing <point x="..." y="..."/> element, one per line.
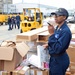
<point x="61" y="12"/>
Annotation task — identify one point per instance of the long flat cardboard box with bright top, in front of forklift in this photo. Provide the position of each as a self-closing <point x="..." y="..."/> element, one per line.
<point x="30" y="35"/>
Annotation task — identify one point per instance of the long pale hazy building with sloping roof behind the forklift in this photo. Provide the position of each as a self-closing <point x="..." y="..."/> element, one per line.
<point x="18" y="8"/>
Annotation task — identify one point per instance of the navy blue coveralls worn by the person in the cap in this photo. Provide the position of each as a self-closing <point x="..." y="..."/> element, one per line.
<point x="58" y="43"/>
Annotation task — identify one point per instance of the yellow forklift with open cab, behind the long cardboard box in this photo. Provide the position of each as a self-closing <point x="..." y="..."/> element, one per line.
<point x="32" y="19"/>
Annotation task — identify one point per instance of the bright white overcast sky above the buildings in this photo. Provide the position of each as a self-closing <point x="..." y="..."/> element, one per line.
<point x="68" y="4"/>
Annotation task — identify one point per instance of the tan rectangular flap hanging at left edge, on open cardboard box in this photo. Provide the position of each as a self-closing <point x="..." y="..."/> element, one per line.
<point x="6" y="53"/>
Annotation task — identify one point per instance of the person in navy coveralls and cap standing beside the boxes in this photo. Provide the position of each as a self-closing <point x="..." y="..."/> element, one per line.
<point x="58" y="43"/>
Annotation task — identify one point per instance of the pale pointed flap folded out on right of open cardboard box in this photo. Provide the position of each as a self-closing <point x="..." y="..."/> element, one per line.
<point x="22" y="48"/>
